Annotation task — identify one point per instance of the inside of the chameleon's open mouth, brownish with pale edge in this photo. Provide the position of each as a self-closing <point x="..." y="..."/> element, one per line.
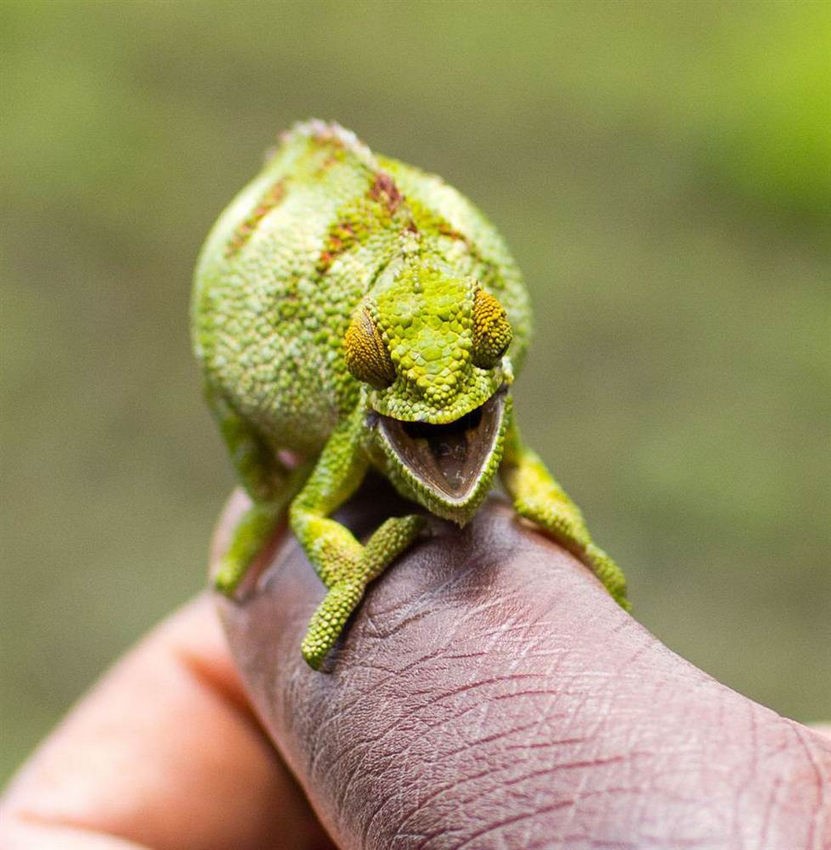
<point x="449" y="458"/>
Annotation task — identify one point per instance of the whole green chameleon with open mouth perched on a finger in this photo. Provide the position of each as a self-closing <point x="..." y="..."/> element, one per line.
<point x="357" y="312"/>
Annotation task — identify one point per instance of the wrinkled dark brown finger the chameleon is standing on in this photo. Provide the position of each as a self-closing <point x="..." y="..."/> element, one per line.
<point x="424" y="732"/>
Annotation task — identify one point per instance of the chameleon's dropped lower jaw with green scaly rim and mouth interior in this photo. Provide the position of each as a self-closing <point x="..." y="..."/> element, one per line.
<point x="450" y="466"/>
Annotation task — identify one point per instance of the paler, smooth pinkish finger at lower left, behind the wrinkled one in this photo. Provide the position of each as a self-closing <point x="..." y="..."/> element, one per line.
<point x="165" y="752"/>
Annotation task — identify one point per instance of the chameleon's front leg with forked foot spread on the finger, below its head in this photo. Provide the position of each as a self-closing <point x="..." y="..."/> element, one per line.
<point x="344" y="566"/>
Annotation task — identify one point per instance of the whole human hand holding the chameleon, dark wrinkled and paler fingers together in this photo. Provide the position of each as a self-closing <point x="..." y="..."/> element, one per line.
<point x="489" y="694"/>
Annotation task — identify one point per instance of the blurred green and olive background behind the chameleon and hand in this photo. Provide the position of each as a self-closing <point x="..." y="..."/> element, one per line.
<point x="663" y="174"/>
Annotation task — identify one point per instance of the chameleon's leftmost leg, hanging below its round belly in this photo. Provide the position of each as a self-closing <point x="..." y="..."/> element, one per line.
<point x="268" y="482"/>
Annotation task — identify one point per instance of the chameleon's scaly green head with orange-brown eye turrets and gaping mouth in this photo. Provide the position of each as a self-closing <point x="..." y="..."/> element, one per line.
<point x="430" y="349"/>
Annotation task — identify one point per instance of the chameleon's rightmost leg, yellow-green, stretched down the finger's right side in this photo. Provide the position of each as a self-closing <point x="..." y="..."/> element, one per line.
<point x="539" y="498"/>
